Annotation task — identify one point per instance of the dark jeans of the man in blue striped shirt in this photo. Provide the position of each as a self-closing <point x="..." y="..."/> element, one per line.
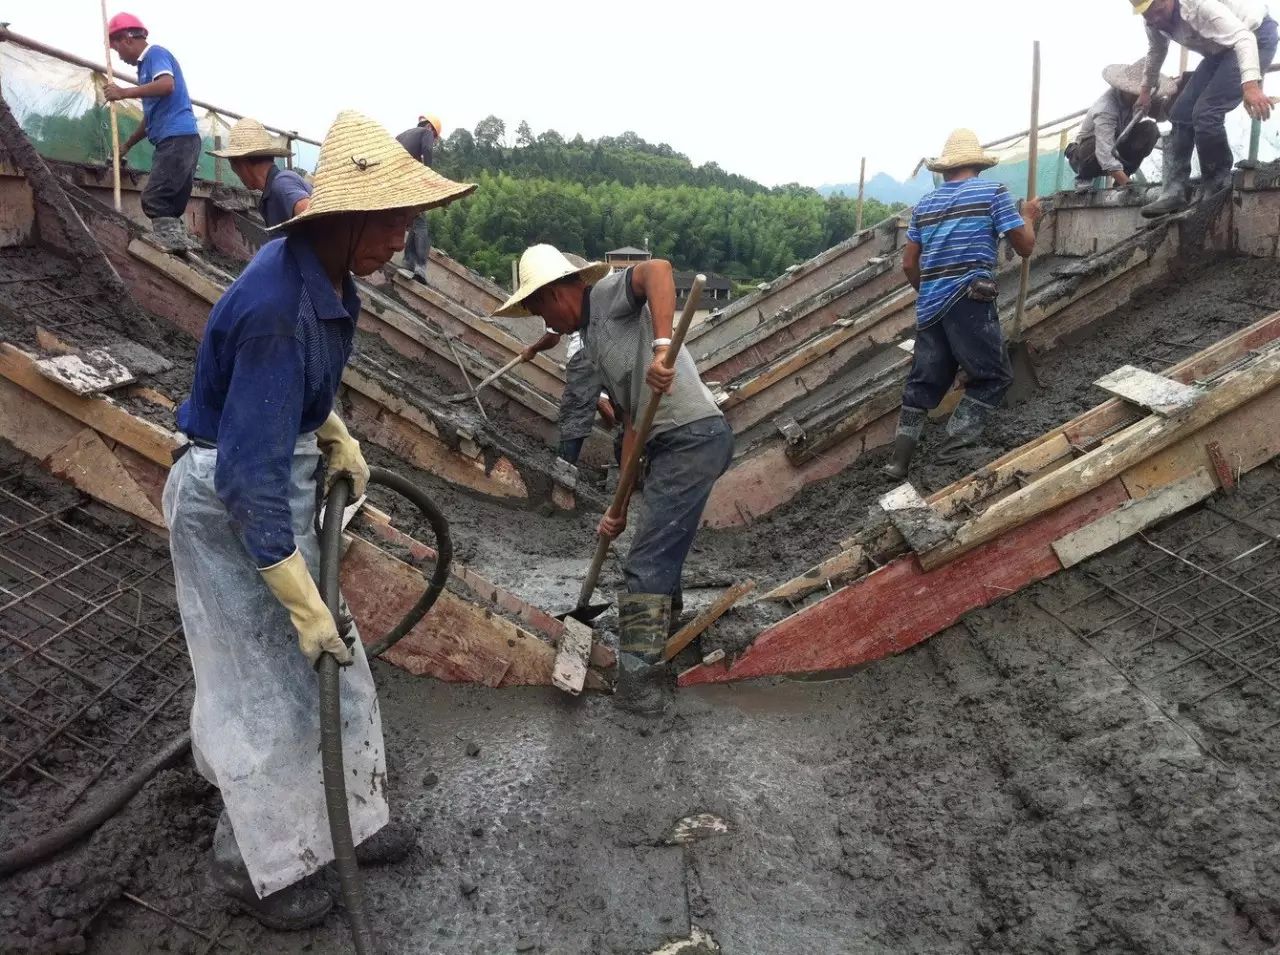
<point x="967" y="337"/>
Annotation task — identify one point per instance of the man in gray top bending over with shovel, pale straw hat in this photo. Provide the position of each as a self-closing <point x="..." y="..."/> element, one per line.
<point x="627" y="322"/>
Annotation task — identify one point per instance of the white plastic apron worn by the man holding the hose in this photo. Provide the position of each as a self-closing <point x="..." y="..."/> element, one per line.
<point x="255" y="725"/>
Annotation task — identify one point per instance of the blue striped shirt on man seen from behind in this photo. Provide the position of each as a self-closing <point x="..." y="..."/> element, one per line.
<point x="958" y="227"/>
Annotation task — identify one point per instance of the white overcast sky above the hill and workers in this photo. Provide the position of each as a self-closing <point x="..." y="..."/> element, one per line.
<point x="792" y="92"/>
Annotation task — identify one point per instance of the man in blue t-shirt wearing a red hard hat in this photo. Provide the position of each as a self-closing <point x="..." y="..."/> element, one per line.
<point x="168" y="122"/>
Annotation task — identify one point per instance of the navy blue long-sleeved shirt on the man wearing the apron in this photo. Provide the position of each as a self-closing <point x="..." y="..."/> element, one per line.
<point x="267" y="373"/>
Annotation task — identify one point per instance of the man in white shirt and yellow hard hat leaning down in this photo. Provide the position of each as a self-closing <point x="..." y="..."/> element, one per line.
<point x="1238" y="42"/>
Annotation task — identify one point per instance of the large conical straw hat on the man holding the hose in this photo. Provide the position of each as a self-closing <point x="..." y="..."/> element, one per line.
<point x="363" y="170"/>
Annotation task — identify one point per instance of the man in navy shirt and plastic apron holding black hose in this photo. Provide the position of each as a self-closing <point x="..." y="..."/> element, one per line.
<point x="240" y="505"/>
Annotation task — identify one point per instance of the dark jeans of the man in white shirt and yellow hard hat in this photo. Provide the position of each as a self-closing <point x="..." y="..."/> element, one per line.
<point x="1214" y="92"/>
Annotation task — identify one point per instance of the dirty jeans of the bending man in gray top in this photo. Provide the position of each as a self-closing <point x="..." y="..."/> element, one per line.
<point x="684" y="464"/>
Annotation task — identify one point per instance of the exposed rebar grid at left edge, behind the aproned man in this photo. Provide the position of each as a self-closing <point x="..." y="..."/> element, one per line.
<point x="92" y="661"/>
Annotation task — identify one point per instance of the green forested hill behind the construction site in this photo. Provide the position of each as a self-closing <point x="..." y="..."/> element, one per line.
<point x="589" y="197"/>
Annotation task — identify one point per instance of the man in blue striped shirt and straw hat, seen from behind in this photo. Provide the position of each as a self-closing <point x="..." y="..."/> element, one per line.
<point x="950" y="259"/>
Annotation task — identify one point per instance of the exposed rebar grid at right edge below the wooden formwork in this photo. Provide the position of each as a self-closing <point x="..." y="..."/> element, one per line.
<point x="1194" y="610"/>
